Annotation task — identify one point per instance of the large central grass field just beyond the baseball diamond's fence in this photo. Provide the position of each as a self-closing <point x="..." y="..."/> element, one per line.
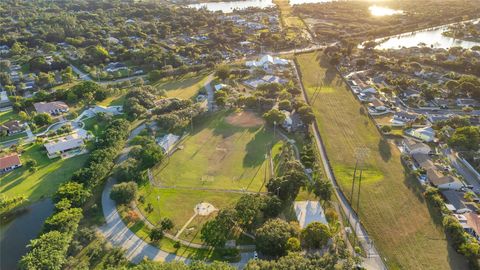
<point x="219" y="155"/>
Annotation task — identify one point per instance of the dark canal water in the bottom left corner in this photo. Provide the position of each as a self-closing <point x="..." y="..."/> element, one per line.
<point x="17" y="231"/>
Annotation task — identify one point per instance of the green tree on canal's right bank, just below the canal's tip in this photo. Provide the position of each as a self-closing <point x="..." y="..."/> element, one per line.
<point x="65" y="221"/>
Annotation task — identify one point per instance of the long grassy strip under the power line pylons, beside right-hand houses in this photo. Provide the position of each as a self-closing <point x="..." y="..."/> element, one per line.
<point x="406" y="231"/>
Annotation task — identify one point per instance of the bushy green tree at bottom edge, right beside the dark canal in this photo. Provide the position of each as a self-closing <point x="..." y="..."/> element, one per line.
<point x="46" y="252"/>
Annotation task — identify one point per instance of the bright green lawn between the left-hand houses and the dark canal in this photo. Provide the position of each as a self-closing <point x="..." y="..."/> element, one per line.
<point x="45" y="181"/>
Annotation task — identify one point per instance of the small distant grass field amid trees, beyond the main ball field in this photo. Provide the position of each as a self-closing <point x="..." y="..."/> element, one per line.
<point x="184" y="87"/>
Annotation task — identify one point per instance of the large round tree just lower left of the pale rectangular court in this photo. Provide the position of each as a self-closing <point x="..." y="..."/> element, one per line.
<point x="272" y="237"/>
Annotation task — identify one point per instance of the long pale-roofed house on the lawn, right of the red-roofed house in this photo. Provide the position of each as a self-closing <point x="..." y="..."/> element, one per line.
<point x="65" y="146"/>
